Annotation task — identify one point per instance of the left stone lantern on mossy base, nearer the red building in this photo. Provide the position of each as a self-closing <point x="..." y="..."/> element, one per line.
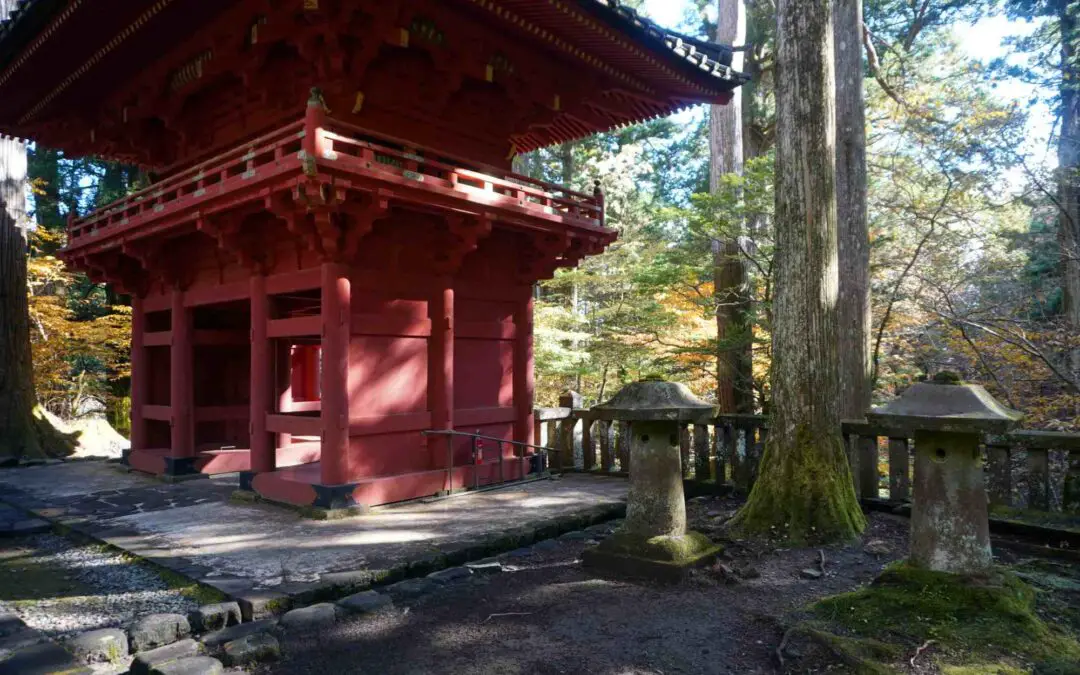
<point x="654" y="542"/>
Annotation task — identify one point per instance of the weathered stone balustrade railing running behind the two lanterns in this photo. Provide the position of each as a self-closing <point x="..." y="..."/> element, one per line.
<point x="1038" y="470"/>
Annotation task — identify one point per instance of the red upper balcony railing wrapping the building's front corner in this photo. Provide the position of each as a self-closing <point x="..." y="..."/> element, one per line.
<point x="254" y="166"/>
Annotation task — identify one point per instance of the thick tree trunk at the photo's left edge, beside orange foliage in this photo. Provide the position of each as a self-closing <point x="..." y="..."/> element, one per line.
<point x="19" y="436"/>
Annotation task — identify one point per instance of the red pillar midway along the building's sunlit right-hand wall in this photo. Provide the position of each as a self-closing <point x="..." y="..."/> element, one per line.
<point x="441" y="395"/>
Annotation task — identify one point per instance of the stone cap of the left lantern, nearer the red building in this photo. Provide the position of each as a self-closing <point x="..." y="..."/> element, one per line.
<point x="656" y="400"/>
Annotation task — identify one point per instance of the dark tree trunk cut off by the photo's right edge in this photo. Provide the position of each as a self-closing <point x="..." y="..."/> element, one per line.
<point x="1069" y="163"/>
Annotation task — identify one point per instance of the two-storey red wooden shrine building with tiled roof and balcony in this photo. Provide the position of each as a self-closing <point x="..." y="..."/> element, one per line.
<point x="315" y="287"/>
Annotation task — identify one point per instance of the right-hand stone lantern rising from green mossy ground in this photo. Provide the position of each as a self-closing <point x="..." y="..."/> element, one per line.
<point x="950" y="520"/>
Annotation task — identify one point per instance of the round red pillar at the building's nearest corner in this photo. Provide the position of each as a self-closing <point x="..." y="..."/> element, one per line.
<point x="337" y="330"/>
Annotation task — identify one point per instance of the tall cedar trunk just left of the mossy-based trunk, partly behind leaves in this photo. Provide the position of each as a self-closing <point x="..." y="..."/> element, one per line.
<point x="735" y="388"/>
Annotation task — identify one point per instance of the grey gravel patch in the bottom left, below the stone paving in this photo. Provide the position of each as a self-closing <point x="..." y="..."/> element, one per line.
<point x="61" y="588"/>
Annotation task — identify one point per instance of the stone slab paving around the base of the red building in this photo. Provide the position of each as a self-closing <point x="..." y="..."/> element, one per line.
<point x="195" y="530"/>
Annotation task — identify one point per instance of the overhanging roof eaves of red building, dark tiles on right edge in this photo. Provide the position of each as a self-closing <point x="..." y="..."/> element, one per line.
<point x="61" y="60"/>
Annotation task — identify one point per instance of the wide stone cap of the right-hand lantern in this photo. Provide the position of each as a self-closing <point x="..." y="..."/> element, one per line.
<point x="946" y="406"/>
